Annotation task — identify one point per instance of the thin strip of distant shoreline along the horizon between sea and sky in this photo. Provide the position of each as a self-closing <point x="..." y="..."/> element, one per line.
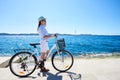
<point x="57" y="33"/>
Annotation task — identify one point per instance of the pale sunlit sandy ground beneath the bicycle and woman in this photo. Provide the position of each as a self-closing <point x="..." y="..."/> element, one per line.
<point x="83" y="69"/>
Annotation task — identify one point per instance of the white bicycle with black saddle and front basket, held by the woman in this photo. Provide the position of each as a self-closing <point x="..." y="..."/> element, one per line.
<point x="24" y="63"/>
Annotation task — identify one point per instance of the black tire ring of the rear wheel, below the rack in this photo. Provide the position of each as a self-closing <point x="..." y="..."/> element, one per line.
<point x="12" y="58"/>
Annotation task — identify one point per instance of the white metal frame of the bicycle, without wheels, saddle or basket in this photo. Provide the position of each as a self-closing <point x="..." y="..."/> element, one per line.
<point x="53" y="47"/>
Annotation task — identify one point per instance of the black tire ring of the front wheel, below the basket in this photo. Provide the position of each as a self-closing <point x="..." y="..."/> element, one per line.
<point x="53" y="64"/>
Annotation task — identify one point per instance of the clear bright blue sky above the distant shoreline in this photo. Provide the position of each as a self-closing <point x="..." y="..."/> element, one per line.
<point x="100" y="17"/>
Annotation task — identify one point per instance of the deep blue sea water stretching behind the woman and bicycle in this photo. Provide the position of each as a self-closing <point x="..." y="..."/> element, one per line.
<point x="79" y="44"/>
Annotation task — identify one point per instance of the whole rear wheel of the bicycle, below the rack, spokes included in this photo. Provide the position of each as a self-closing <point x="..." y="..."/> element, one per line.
<point x="23" y="64"/>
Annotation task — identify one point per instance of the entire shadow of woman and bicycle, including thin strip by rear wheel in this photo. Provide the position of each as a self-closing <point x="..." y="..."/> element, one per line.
<point x="57" y="76"/>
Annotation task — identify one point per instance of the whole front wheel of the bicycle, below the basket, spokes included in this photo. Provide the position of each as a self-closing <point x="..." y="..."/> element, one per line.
<point x="62" y="61"/>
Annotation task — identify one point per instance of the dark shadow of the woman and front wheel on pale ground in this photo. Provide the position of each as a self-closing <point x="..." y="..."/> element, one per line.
<point x="57" y="76"/>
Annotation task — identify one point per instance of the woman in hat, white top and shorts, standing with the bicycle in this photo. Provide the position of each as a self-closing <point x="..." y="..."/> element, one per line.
<point x="44" y="36"/>
